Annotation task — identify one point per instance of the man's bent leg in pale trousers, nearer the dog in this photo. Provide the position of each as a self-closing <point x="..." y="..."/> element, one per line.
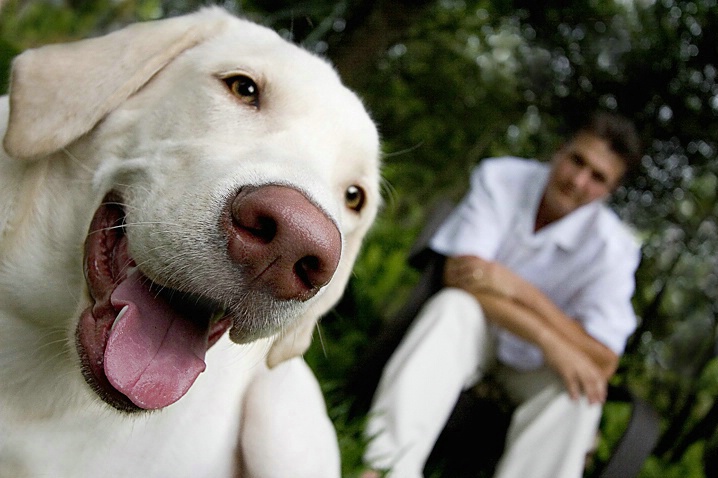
<point x="447" y="348"/>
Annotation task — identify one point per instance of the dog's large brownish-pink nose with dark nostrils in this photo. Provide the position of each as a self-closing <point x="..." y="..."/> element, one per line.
<point x="288" y="245"/>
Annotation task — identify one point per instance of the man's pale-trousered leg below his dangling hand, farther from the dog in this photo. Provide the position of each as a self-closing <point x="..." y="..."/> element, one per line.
<point x="550" y="433"/>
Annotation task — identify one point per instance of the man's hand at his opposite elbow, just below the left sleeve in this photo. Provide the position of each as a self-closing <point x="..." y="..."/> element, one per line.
<point x="474" y="274"/>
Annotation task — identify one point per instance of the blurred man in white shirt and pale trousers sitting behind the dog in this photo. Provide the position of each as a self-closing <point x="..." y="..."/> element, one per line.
<point x="538" y="284"/>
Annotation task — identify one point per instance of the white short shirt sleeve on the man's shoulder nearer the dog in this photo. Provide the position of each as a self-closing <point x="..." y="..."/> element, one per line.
<point x="474" y="226"/>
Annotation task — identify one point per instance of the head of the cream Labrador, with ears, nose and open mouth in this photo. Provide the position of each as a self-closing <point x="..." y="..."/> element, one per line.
<point x="232" y="178"/>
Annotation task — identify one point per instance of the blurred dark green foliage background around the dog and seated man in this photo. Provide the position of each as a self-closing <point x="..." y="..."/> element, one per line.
<point x="451" y="82"/>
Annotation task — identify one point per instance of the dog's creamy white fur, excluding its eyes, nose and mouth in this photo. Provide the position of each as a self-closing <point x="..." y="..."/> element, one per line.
<point x="161" y="128"/>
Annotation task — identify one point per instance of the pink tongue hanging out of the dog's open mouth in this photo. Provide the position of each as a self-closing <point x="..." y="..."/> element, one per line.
<point x="153" y="355"/>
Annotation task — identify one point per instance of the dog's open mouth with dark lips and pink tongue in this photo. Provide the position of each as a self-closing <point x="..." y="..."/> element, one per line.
<point x="142" y="346"/>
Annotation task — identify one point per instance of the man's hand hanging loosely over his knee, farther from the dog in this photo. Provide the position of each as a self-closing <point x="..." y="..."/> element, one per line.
<point x="580" y="375"/>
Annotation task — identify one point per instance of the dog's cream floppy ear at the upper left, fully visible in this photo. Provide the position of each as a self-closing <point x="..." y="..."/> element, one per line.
<point x="60" y="92"/>
